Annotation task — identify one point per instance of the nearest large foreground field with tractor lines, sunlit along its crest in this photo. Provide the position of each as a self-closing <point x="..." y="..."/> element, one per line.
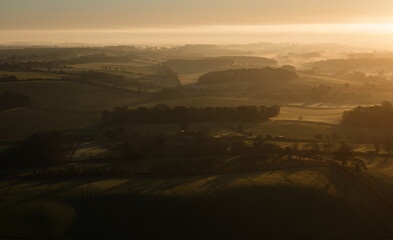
<point x="307" y="203"/>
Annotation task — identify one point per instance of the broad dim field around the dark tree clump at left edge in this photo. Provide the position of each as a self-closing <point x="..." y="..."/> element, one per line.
<point x="59" y="106"/>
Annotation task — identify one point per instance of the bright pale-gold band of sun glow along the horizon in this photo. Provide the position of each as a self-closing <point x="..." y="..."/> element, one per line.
<point x="374" y="35"/>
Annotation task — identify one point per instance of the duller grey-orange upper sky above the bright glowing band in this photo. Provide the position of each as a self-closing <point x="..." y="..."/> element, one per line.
<point x="98" y="14"/>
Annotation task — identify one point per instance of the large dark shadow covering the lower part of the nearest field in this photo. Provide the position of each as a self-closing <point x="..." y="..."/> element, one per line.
<point x="268" y="212"/>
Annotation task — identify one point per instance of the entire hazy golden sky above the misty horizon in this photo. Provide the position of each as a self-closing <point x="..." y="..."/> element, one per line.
<point x="152" y="21"/>
